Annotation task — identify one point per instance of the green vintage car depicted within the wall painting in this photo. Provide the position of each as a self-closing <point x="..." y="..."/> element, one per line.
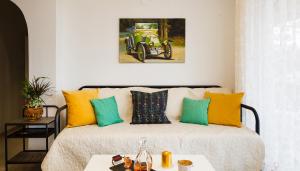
<point x="144" y="41"/>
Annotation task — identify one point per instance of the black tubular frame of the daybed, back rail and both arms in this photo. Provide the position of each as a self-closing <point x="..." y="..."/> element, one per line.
<point x="243" y="106"/>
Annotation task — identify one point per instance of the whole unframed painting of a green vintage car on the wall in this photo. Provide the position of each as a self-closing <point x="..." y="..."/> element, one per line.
<point x="152" y="40"/>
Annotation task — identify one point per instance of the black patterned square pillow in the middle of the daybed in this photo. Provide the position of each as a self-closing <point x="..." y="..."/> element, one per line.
<point x="149" y="108"/>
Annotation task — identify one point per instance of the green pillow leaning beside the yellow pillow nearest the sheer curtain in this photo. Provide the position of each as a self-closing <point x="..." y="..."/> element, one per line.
<point x="195" y="111"/>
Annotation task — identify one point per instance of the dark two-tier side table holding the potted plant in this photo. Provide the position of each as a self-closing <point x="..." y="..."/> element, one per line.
<point x="24" y="129"/>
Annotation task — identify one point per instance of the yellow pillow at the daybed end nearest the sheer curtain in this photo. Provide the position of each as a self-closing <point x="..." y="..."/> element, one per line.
<point x="224" y="109"/>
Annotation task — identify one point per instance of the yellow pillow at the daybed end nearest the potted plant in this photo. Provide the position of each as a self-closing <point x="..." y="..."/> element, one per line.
<point x="80" y="110"/>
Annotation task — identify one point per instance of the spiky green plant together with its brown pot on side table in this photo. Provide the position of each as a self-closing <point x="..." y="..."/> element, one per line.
<point x="33" y="91"/>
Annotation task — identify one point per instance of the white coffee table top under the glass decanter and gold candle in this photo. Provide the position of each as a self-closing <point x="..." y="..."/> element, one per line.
<point x="103" y="162"/>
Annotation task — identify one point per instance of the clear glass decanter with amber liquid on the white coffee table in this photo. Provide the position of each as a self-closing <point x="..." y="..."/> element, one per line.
<point x="143" y="160"/>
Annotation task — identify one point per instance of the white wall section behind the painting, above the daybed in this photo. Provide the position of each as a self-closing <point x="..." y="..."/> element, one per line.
<point x="87" y="42"/>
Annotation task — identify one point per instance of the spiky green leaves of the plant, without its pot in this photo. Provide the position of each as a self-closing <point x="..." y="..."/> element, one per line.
<point x="34" y="89"/>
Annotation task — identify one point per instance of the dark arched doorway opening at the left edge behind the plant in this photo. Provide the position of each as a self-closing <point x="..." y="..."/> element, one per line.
<point x="13" y="60"/>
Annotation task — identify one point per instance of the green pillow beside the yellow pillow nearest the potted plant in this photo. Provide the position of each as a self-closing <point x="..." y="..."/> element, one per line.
<point x="106" y="111"/>
